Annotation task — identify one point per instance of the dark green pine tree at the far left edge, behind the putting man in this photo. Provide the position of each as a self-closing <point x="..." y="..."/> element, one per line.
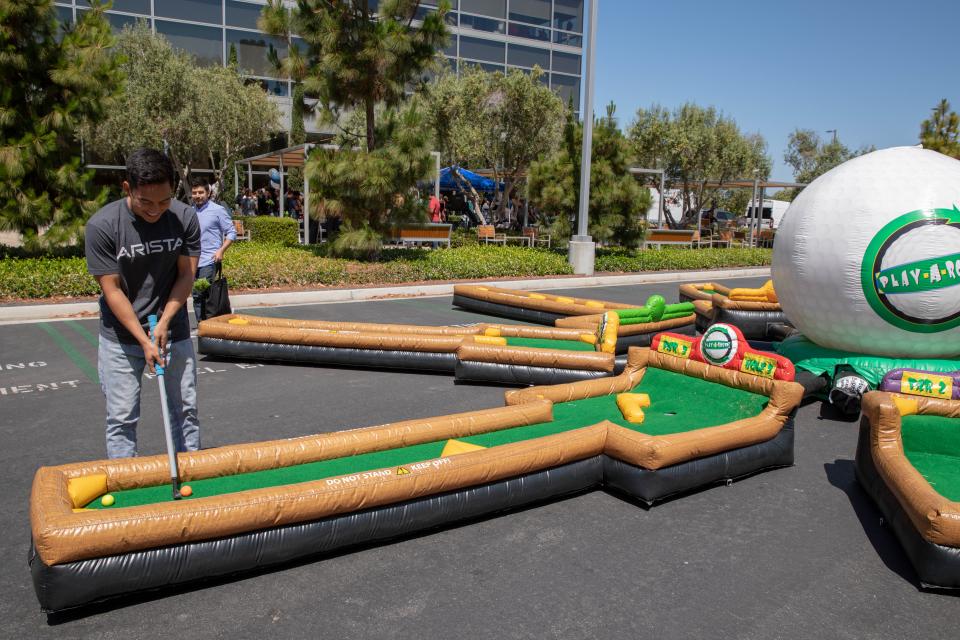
<point x="51" y="82"/>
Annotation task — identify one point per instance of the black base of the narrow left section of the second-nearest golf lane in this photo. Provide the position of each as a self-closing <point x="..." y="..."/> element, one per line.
<point x="373" y="358"/>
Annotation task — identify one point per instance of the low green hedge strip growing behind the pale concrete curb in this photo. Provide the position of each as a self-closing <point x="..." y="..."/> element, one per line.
<point x="250" y="265"/>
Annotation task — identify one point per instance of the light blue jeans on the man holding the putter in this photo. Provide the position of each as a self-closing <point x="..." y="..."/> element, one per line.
<point x="121" y="370"/>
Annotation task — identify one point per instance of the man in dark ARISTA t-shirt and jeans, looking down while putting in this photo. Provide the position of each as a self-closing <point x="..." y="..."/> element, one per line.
<point x="143" y="251"/>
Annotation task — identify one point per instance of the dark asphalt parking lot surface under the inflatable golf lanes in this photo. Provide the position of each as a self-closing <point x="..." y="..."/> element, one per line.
<point x="793" y="553"/>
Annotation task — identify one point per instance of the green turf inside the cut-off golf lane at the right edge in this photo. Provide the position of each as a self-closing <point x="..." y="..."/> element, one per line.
<point x="932" y="445"/>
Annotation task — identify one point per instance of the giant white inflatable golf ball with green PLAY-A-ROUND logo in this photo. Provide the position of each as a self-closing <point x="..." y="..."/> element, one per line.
<point x="867" y="258"/>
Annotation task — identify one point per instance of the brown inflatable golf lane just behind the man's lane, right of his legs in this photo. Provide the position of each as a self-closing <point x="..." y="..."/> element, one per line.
<point x="505" y="354"/>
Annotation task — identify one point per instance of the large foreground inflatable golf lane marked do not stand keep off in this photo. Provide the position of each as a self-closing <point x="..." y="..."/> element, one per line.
<point x="668" y="424"/>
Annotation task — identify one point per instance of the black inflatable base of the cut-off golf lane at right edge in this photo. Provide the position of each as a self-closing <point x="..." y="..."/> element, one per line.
<point x="937" y="566"/>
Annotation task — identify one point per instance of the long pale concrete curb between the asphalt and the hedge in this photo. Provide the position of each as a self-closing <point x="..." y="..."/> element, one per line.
<point x="75" y="310"/>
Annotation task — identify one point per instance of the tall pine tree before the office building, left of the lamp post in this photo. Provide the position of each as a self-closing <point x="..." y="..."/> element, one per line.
<point x="360" y="61"/>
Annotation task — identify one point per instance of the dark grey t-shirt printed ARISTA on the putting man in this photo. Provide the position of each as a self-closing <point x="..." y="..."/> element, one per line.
<point x="145" y="256"/>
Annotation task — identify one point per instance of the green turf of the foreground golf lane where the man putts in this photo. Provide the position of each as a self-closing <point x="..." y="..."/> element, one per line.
<point x="678" y="403"/>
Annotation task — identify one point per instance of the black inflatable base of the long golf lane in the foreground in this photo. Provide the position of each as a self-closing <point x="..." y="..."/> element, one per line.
<point x="76" y="584"/>
